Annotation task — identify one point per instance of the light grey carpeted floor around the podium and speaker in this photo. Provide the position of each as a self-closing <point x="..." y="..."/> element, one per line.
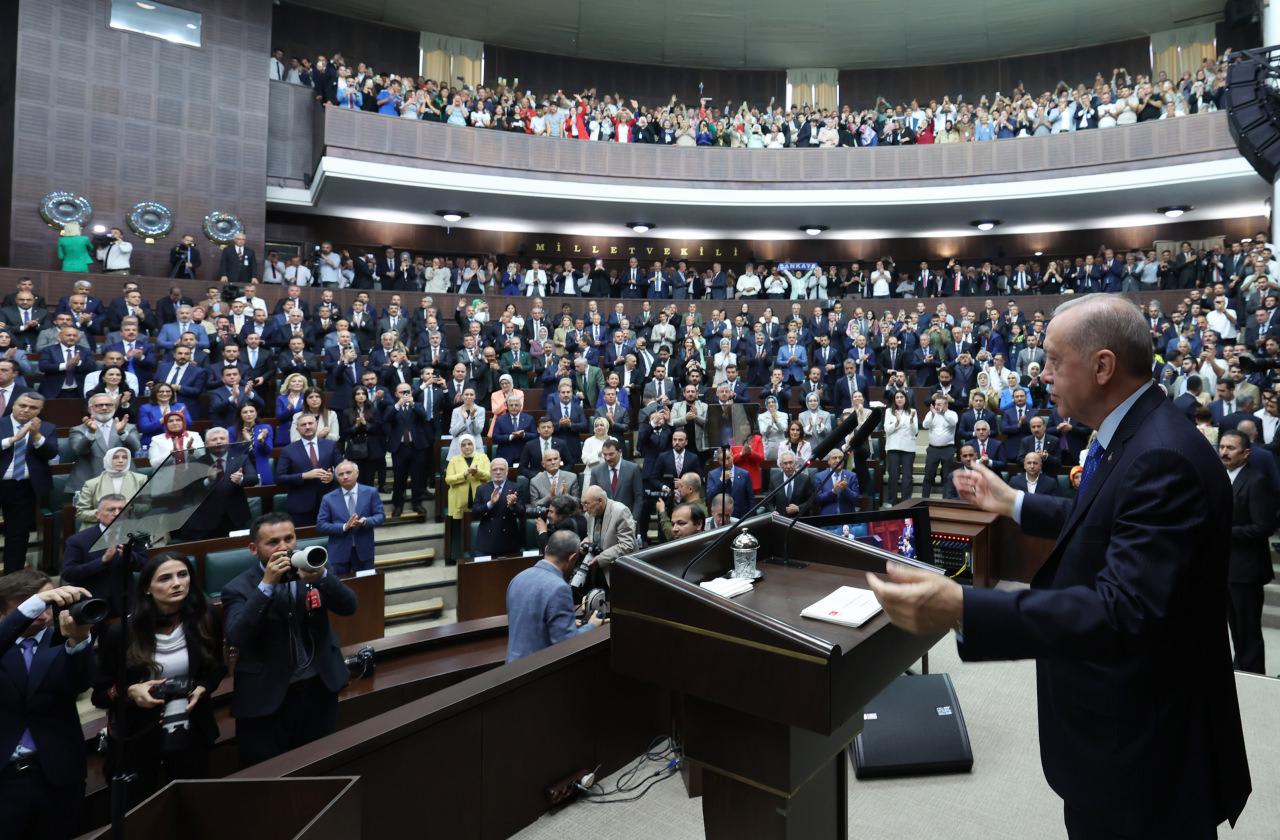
<point x="1005" y="796"/>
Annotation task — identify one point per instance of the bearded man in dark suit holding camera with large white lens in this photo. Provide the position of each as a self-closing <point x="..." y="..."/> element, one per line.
<point x="290" y="668"/>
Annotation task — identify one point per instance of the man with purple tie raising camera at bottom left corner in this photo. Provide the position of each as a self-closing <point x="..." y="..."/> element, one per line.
<point x="42" y="741"/>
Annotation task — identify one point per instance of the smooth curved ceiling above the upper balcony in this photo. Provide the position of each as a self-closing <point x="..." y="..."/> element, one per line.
<point x="767" y="34"/>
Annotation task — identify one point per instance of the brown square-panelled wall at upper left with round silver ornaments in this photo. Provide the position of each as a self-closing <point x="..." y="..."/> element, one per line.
<point x="152" y="121"/>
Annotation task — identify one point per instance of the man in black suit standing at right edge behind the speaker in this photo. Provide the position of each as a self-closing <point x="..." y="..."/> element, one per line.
<point x="1254" y="519"/>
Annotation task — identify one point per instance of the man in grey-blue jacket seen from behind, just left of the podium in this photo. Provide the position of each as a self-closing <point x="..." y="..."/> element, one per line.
<point x="541" y="605"/>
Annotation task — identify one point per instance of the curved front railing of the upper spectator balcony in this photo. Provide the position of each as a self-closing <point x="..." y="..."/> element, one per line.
<point x="356" y="135"/>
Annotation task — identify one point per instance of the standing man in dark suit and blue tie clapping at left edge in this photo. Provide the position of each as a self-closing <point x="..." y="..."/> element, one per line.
<point x="28" y="446"/>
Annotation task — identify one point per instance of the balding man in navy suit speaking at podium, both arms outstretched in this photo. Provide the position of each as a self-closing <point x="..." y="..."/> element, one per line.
<point x="1139" y="719"/>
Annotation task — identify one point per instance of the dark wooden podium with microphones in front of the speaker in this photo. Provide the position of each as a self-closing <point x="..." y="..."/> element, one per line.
<point x="771" y="700"/>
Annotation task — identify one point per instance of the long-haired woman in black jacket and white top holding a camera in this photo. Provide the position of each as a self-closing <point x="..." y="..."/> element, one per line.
<point x="163" y="725"/>
